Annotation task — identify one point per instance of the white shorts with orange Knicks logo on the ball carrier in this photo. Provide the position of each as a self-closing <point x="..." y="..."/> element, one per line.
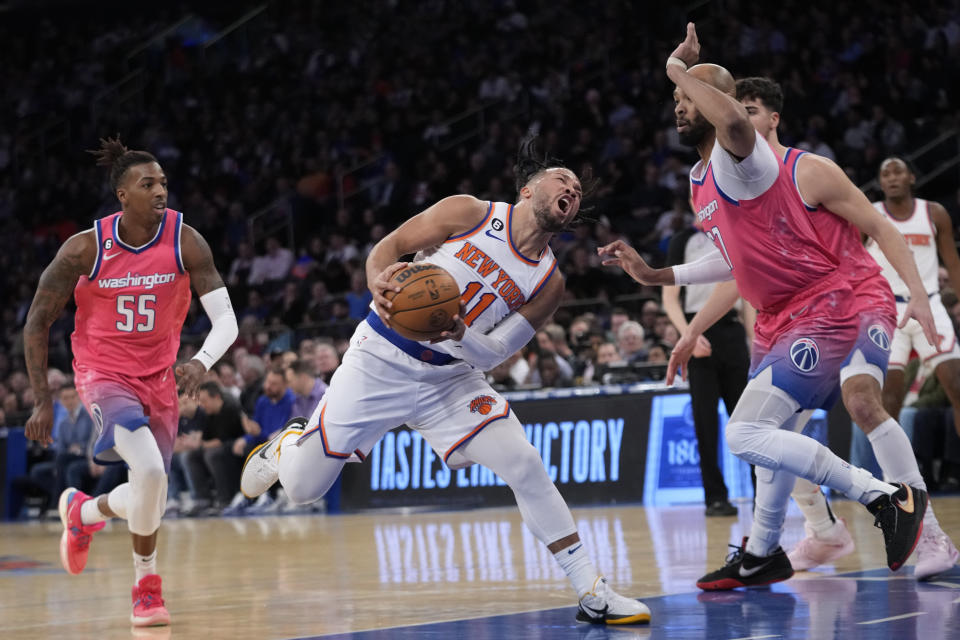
<point x="380" y="386"/>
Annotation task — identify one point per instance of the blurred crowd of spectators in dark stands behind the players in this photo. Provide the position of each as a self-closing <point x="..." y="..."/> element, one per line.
<point x="296" y="141"/>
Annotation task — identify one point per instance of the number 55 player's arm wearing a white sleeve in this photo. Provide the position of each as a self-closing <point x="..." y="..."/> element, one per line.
<point x="206" y="280"/>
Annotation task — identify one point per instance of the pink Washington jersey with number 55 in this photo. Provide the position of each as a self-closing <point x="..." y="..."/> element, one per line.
<point x="131" y="307"/>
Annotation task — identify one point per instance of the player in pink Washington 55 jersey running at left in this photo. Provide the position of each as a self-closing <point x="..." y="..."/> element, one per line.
<point x="130" y="276"/>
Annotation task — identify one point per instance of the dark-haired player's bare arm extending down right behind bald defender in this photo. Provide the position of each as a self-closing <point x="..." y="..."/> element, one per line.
<point x="822" y="182"/>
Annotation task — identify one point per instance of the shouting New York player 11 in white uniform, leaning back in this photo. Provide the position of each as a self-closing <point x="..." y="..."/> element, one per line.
<point x="500" y="257"/>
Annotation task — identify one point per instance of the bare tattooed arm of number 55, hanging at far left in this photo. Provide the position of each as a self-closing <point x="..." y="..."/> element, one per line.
<point x="74" y="259"/>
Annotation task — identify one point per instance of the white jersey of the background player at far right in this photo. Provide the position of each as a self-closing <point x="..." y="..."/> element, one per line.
<point x="921" y="236"/>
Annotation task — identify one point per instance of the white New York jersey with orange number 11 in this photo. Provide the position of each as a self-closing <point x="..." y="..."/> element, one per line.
<point x="494" y="277"/>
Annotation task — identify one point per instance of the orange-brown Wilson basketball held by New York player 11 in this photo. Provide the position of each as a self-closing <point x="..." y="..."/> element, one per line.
<point x="426" y="303"/>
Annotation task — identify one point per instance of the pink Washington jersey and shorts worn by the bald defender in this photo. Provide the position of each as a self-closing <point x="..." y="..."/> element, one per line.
<point x="806" y="318"/>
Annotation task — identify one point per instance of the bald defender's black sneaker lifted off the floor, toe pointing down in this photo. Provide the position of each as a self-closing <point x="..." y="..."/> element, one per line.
<point x="900" y="517"/>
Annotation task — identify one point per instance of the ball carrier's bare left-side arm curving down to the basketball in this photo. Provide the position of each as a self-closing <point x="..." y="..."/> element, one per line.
<point x="428" y="228"/>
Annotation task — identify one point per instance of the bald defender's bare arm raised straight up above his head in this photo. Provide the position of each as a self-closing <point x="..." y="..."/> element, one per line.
<point x="735" y="133"/>
